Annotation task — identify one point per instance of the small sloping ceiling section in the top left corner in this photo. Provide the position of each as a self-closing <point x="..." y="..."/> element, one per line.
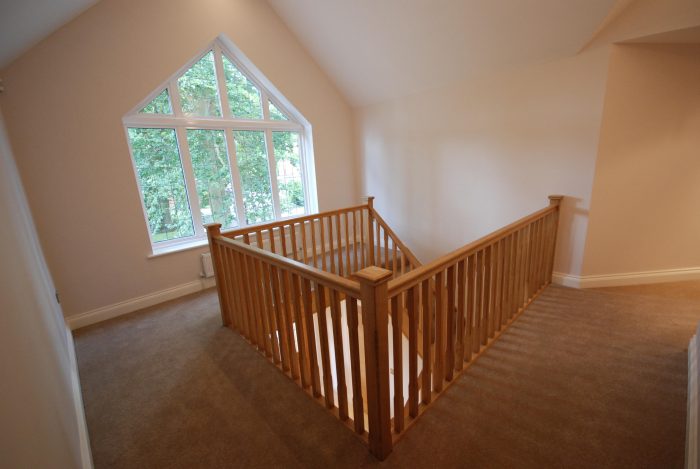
<point x="23" y="23"/>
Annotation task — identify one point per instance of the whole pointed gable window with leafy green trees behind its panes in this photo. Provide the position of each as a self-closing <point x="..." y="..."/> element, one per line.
<point x="211" y="145"/>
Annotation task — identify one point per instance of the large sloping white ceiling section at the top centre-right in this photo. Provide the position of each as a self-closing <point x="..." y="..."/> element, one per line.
<point x="376" y="50"/>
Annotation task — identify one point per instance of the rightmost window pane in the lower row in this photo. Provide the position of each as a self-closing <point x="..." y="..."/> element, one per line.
<point x="288" y="160"/>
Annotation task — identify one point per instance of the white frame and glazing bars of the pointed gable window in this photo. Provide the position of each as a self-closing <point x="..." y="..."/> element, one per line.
<point x="228" y="123"/>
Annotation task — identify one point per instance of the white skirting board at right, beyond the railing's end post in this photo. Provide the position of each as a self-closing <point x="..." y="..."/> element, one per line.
<point x="629" y="278"/>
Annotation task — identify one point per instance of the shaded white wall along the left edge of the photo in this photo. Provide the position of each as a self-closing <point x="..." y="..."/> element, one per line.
<point x="42" y="422"/>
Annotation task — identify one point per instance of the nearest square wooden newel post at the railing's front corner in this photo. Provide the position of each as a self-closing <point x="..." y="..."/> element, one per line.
<point x="375" y="320"/>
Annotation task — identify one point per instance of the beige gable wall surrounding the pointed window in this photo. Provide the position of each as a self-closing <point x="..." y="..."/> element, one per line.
<point x="64" y="102"/>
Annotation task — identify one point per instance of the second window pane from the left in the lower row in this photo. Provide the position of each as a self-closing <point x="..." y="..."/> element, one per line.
<point x="212" y="176"/>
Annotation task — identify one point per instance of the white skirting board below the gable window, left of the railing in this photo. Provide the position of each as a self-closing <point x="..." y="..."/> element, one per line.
<point x="134" y="304"/>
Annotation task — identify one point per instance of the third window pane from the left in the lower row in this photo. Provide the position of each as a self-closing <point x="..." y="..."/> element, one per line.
<point x="251" y="155"/>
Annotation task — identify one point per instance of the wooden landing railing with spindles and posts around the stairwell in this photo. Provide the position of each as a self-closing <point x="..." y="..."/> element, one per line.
<point x="273" y="280"/>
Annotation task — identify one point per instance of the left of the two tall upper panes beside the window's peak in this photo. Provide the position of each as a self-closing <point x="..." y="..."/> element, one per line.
<point x="199" y="95"/>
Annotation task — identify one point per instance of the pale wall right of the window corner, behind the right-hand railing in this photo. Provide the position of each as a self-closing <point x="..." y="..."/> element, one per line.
<point x="453" y="164"/>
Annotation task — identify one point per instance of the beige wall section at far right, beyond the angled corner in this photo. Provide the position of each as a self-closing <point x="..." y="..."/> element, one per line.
<point x="645" y="212"/>
